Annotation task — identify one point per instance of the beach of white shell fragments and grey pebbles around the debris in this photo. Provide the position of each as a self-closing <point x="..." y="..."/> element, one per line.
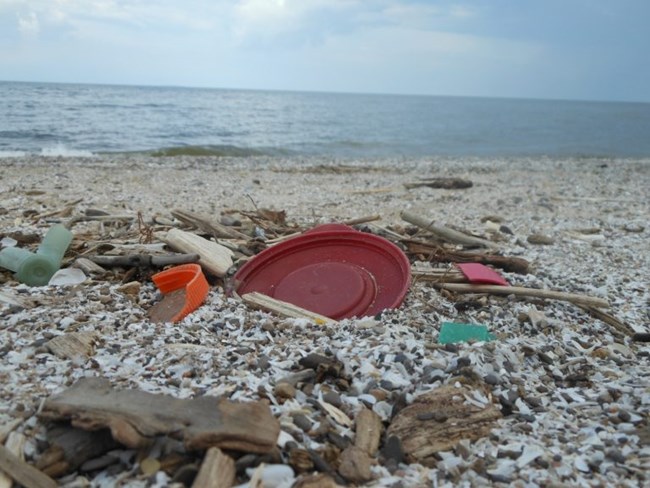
<point x="573" y="391"/>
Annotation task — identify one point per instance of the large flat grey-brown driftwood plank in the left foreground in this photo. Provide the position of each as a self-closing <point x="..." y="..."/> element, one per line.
<point x="136" y="417"/>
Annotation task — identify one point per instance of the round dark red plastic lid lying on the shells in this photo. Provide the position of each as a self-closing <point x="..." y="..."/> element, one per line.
<point x="332" y="270"/>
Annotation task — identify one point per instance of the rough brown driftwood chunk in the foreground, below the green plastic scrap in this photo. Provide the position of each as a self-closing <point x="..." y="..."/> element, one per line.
<point x="438" y="420"/>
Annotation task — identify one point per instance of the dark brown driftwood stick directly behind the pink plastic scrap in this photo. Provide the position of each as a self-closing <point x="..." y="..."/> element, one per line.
<point x="439" y="254"/>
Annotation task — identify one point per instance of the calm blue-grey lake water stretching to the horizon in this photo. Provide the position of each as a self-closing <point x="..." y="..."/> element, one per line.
<point x="75" y="119"/>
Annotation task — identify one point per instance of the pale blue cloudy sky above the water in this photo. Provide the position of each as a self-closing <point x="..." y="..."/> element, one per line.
<point x="568" y="49"/>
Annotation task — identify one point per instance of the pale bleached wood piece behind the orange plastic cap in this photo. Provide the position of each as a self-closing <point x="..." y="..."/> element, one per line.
<point x="215" y="258"/>
